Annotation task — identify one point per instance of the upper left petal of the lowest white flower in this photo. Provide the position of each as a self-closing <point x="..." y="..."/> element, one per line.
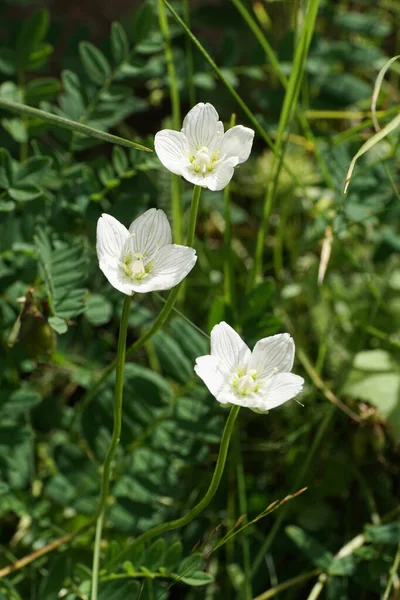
<point x="228" y="346"/>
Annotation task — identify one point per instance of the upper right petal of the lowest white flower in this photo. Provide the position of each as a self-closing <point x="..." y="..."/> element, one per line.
<point x="273" y="354"/>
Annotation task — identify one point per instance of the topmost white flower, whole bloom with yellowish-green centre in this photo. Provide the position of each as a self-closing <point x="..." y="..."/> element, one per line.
<point x="201" y="152"/>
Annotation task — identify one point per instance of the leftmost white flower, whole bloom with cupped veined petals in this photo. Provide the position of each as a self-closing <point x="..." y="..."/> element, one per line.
<point x="143" y="258"/>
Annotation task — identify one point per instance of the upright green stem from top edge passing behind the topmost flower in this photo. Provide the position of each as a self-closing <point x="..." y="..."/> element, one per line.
<point x="176" y="119"/>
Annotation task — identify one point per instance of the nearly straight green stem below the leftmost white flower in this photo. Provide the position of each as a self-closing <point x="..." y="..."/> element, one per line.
<point x="105" y="481"/>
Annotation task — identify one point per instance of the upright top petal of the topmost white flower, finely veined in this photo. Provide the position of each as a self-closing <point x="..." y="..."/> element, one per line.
<point x="200" y="125"/>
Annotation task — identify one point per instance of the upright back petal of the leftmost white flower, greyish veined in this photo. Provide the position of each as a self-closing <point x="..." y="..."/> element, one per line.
<point x="150" y="231"/>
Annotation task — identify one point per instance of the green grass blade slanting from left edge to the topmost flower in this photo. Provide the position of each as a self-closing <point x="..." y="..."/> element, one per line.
<point x="23" y="109"/>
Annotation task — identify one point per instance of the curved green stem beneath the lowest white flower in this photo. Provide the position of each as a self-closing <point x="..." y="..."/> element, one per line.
<point x="200" y="506"/>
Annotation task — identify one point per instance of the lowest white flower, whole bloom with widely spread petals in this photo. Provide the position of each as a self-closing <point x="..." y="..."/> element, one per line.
<point x="259" y="380"/>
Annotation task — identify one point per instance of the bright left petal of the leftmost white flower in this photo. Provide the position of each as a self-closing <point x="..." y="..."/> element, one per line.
<point x="110" y="239"/>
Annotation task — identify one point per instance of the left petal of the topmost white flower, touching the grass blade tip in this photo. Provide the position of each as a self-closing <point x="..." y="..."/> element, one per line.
<point x="172" y="149"/>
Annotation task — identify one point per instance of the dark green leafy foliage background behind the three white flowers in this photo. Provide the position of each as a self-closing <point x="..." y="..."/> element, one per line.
<point x="59" y="316"/>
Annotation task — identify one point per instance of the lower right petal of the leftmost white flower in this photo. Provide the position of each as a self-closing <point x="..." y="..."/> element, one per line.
<point x="169" y="267"/>
